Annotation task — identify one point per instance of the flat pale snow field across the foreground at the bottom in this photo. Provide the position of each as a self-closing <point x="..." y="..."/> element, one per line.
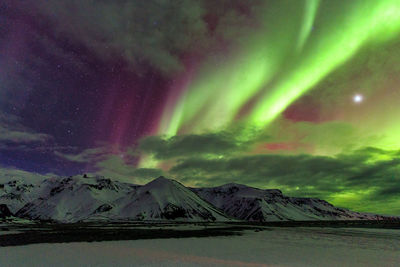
<point x="271" y="247"/>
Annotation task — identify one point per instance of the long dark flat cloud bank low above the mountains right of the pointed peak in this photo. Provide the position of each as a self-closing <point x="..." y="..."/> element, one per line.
<point x="287" y="170"/>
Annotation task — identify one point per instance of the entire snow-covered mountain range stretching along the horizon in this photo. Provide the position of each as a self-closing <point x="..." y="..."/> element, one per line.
<point x="84" y="198"/>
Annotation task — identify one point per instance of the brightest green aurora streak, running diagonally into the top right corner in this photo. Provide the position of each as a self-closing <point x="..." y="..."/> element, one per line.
<point x="367" y="22"/>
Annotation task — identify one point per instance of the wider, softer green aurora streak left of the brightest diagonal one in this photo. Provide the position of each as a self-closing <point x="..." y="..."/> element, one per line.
<point x="225" y="84"/>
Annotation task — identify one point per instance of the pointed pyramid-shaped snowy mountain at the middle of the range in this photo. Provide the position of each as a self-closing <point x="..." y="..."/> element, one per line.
<point x="165" y="199"/>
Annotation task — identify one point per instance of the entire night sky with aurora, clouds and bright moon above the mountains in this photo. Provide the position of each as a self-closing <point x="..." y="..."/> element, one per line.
<point x="303" y="96"/>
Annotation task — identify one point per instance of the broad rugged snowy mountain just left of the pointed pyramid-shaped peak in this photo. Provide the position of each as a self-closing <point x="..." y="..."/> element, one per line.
<point x="74" y="198"/>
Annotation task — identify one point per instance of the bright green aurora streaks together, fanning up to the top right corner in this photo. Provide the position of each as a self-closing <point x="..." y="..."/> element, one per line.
<point x="295" y="45"/>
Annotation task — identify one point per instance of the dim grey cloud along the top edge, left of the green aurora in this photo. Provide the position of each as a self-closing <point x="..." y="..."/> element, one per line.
<point x="153" y="32"/>
